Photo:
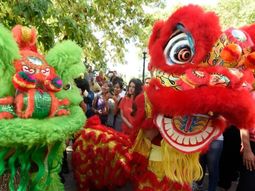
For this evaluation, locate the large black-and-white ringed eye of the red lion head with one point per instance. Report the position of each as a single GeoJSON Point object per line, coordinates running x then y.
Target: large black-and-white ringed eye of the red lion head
{"type": "Point", "coordinates": [179, 49]}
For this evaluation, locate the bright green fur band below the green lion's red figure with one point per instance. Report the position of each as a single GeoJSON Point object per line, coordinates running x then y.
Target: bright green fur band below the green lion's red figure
{"type": "Point", "coordinates": [40, 131]}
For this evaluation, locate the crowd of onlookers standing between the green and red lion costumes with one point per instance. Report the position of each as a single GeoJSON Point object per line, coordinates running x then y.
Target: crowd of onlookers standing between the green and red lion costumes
{"type": "Point", "coordinates": [110, 97]}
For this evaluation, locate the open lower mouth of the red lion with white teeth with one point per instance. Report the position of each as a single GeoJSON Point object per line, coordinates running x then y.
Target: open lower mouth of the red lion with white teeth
{"type": "Point", "coordinates": [187, 134]}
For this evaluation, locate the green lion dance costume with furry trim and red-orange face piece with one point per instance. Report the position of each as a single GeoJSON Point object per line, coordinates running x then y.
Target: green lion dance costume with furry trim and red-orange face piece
{"type": "Point", "coordinates": [37, 115]}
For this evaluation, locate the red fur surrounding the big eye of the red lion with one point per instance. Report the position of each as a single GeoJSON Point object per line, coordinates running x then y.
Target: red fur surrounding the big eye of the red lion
{"type": "Point", "coordinates": [205, 31]}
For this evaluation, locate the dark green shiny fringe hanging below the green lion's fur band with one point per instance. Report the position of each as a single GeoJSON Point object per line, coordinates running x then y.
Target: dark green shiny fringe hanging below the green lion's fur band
{"type": "Point", "coordinates": [37, 168]}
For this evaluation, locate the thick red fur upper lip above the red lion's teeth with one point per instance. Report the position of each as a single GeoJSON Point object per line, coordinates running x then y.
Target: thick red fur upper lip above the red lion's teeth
{"type": "Point", "coordinates": [237, 106]}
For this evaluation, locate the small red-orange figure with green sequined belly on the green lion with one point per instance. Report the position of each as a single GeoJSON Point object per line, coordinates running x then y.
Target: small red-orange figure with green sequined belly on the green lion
{"type": "Point", "coordinates": [35, 81]}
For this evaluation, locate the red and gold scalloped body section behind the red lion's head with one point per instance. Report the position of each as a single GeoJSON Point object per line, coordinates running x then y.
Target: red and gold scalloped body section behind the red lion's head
{"type": "Point", "coordinates": [96, 157]}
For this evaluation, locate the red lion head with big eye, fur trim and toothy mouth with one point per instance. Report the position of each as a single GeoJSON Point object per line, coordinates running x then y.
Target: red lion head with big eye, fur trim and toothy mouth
{"type": "Point", "coordinates": [203, 78]}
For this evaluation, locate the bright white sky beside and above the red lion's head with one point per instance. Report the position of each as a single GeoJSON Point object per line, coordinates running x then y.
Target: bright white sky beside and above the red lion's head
{"type": "Point", "coordinates": [133, 65]}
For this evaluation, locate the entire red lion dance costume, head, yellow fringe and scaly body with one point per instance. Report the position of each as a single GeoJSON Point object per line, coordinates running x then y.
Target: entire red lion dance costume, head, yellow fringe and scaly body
{"type": "Point", "coordinates": [203, 82]}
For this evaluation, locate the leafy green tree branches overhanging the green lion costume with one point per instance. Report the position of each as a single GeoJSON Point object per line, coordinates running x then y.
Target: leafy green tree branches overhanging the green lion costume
{"type": "Point", "coordinates": [96, 25]}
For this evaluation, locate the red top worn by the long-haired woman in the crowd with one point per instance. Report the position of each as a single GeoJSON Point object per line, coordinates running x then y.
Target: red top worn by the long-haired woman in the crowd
{"type": "Point", "coordinates": [126, 109]}
